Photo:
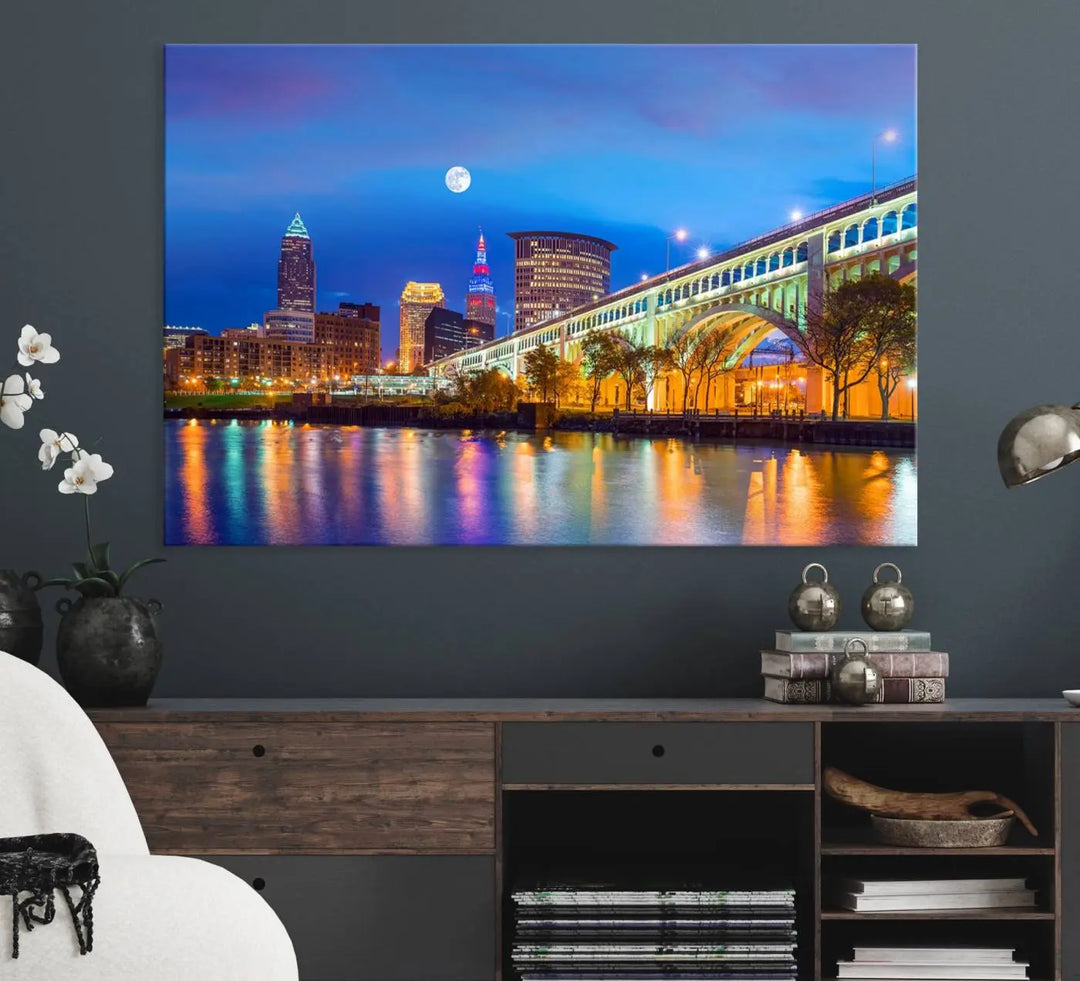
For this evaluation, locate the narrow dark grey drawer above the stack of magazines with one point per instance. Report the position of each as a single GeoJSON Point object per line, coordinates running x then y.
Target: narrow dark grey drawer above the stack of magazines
{"type": "Point", "coordinates": [678, 754]}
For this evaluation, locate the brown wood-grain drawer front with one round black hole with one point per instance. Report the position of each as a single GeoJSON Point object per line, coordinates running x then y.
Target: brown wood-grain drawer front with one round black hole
{"type": "Point", "coordinates": [261, 788]}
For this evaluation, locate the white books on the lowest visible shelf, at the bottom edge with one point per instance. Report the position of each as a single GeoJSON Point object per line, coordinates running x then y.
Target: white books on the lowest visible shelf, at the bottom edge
{"type": "Point", "coordinates": [934, 963]}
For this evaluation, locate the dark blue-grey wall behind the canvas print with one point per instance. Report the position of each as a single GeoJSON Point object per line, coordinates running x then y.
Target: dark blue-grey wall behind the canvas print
{"type": "Point", "coordinates": [995, 575]}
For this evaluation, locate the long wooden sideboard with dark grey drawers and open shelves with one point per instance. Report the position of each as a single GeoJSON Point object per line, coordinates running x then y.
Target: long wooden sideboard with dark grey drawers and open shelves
{"type": "Point", "coordinates": [388, 832]}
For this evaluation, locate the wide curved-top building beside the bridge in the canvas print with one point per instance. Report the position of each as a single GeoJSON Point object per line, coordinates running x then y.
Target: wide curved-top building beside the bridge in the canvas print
{"type": "Point", "coordinates": [556, 272]}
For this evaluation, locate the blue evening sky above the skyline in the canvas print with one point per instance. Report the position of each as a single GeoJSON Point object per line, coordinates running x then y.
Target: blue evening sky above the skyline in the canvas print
{"type": "Point", "coordinates": [624, 142]}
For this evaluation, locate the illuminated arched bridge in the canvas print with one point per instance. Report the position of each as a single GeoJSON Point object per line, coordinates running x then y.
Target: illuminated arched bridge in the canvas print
{"type": "Point", "coordinates": [749, 291]}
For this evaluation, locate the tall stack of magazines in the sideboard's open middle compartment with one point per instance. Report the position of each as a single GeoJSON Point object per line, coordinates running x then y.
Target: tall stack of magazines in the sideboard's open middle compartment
{"type": "Point", "coordinates": [603, 933]}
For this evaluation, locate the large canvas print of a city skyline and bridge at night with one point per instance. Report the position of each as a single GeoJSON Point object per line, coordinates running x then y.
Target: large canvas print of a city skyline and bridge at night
{"type": "Point", "coordinates": [541, 295]}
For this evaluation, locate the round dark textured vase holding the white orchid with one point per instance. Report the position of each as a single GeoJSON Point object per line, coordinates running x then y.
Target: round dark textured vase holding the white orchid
{"type": "Point", "coordinates": [109, 650]}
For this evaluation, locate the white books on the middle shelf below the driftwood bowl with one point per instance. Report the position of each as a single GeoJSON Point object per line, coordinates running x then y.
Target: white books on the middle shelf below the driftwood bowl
{"type": "Point", "coordinates": [892, 895]}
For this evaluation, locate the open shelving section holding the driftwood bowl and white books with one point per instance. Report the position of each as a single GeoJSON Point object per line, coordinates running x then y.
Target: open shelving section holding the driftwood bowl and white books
{"type": "Point", "coordinates": [1016, 760]}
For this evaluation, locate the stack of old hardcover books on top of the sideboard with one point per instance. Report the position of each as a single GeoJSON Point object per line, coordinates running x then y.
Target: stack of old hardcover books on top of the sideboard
{"type": "Point", "coordinates": [798, 669]}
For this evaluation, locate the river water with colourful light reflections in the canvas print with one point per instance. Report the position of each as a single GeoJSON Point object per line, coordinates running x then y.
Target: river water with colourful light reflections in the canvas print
{"type": "Point", "coordinates": [273, 483]}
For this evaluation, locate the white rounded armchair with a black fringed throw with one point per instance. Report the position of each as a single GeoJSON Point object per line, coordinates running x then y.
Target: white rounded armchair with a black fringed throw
{"type": "Point", "coordinates": [156, 918]}
